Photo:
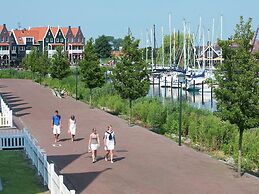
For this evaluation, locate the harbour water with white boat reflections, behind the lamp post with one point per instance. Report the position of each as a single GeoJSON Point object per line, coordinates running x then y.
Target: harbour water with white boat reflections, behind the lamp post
{"type": "Point", "coordinates": [197, 99]}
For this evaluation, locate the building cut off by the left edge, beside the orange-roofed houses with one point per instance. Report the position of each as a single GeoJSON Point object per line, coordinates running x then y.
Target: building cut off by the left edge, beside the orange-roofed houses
{"type": "Point", "coordinates": [4, 45]}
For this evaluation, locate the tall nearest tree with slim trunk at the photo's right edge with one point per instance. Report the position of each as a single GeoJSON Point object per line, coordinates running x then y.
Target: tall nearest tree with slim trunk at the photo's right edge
{"type": "Point", "coordinates": [238, 92]}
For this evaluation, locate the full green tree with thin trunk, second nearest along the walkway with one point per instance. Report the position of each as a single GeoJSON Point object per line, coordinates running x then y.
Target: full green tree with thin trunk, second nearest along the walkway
{"type": "Point", "coordinates": [130, 76]}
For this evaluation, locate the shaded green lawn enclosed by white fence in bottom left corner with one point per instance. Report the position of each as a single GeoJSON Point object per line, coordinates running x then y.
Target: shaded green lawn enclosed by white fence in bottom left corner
{"type": "Point", "coordinates": [17, 174]}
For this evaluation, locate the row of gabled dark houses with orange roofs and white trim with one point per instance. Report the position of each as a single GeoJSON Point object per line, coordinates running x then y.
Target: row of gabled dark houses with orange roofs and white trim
{"type": "Point", "coordinates": [47, 39]}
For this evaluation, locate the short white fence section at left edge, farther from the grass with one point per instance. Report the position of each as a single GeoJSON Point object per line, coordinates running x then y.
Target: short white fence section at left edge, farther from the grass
{"type": "Point", "coordinates": [6, 115]}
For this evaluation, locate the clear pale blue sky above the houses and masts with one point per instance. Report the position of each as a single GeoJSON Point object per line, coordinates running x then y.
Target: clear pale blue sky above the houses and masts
{"type": "Point", "coordinates": [114, 17]}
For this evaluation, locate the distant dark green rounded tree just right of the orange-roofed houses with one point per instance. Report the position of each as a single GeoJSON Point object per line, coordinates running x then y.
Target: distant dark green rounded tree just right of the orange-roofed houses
{"type": "Point", "coordinates": [103, 47]}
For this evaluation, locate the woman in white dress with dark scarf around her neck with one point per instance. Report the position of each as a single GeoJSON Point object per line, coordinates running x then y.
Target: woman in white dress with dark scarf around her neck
{"type": "Point", "coordinates": [109, 143]}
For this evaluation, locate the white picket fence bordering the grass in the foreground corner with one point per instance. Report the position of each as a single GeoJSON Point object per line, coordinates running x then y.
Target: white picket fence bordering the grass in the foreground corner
{"type": "Point", "coordinates": [13, 139]}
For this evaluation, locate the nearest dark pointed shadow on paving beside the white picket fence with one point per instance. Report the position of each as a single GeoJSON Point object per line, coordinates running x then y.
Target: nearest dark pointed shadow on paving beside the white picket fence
{"type": "Point", "coordinates": [81, 180]}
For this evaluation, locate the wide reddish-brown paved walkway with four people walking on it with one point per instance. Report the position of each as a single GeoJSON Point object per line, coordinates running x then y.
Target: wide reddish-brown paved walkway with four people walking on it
{"type": "Point", "coordinates": [145, 162]}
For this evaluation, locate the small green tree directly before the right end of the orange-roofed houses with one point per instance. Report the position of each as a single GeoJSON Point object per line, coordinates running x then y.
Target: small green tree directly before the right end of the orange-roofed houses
{"type": "Point", "coordinates": [60, 67]}
